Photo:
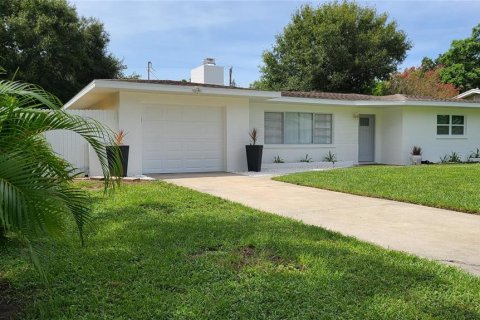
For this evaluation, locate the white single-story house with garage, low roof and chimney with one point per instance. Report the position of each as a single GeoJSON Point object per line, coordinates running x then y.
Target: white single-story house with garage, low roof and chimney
{"type": "Point", "coordinates": [203, 125]}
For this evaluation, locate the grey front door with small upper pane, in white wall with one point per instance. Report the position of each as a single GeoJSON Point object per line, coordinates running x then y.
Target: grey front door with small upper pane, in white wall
{"type": "Point", "coordinates": [366, 138]}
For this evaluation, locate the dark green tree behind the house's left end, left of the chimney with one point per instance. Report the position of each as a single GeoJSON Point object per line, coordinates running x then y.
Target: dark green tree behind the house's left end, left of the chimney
{"type": "Point", "coordinates": [52, 46]}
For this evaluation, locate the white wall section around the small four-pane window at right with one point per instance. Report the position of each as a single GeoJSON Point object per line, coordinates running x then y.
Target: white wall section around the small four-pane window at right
{"type": "Point", "coordinates": [420, 130]}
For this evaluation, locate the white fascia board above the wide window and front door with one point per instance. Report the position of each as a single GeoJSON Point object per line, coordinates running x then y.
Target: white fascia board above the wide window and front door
{"type": "Point", "coordinates": [377, 103]}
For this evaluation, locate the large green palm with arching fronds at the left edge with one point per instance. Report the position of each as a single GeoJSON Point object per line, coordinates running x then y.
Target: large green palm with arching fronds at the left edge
{"type": "Point", "coordinates": [36, 189]}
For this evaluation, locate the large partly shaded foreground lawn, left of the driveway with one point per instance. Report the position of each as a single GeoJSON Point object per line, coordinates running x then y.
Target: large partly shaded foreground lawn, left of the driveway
{"type": "Point", "coordinates": [157, 251]}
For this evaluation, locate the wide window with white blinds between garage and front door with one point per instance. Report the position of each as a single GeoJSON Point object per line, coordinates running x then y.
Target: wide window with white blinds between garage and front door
{"type": "Point", "coordinates": [298, 128]}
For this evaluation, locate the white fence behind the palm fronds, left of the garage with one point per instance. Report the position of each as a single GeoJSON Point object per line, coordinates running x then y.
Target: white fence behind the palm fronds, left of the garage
{"type": "Point", "coordinates": [73, 148]}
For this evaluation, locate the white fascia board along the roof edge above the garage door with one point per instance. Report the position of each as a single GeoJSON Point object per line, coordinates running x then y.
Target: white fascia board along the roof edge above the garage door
{"type": "Point", "coordinates": [155, 87]}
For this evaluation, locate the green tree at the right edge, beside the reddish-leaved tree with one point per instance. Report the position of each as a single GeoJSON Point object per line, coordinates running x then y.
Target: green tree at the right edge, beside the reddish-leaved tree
{"type": "Point", "coordinates": [461, 63]}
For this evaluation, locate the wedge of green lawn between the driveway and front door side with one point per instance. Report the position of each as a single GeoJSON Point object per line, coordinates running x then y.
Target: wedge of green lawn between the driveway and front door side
{"type": "Point", "coordinates": [455, 187]}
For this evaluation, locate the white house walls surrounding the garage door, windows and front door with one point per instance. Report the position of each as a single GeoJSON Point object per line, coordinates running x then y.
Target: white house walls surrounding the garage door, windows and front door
{"type": "Point", "coordinates": [397, 129]}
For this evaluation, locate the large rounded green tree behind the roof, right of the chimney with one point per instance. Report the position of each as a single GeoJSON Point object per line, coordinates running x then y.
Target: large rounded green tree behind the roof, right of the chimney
{"type": "Point", "coordinates": [338, 46]}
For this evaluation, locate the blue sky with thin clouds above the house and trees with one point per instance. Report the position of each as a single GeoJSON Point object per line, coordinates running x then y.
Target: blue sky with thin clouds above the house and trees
{"type": "Point", "coordinates": [177, 35]}
